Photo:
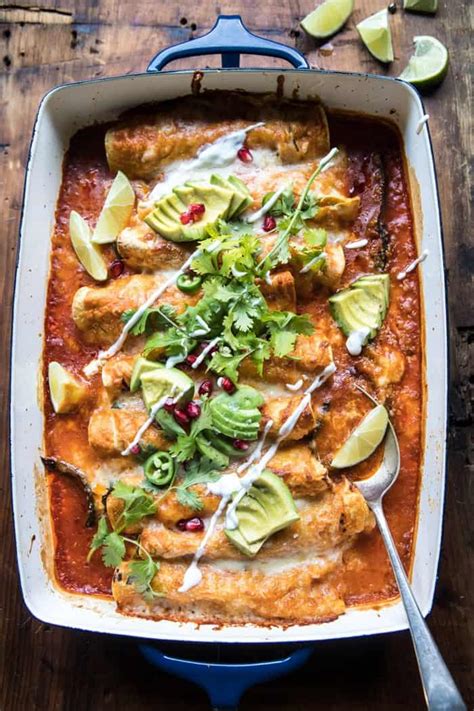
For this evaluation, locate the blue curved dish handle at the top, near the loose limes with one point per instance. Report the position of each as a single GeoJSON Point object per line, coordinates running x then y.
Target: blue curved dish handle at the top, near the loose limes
{"type": "Point", "coordinates": [230, 38]}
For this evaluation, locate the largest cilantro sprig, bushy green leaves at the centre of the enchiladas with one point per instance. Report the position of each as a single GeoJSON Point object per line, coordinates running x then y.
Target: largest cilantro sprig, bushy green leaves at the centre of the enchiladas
{"type": "Point", "coordinates": [231, 307]}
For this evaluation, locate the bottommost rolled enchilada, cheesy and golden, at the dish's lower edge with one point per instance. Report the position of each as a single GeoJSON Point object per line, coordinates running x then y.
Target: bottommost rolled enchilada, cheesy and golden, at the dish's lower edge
{"type": "Point", "coordinates": [241, 595]}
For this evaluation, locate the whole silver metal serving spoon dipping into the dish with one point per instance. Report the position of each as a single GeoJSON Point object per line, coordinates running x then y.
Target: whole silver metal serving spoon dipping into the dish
{"type": "Point", "coordinates": [441, 693]}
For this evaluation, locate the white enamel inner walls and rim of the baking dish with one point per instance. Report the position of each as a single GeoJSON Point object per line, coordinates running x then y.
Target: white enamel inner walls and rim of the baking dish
{"type": "Point", "coordinates": [62, 113]}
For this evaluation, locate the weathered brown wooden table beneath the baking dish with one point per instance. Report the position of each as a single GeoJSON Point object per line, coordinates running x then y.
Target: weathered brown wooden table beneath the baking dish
{"type": "Point", "coordinates": [63, 41]}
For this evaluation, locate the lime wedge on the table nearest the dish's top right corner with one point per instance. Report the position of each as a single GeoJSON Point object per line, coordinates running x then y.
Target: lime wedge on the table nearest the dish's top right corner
{"type": "Point", "coordinates": [428, 66]}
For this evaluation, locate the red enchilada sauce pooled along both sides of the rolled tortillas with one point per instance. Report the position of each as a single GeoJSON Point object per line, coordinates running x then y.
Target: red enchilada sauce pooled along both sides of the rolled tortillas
{"type": "Point", "coordinates": [367, 577]}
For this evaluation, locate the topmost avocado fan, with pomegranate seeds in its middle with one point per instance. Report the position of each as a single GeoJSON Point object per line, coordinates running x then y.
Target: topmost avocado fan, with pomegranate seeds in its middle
{"type": "Point", "coordinates": [223, 198]}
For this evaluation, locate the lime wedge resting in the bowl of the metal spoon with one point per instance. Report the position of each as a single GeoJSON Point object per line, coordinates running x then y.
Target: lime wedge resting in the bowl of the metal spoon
{"type": "Point", "coordinates": [364, 440]}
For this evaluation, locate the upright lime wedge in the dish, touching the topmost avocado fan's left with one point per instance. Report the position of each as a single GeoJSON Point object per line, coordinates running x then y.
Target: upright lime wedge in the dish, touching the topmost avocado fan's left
{"type": "Point", "coordinates": [116, 211]}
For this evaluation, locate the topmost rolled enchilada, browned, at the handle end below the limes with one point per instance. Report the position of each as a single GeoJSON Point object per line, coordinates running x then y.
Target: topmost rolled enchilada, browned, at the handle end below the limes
{"type": "Point", "coordinates": [142, 145]}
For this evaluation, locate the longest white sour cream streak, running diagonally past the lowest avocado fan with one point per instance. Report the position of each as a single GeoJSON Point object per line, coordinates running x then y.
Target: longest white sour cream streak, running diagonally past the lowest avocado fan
{"type": "Point", "coordinates": [232, 484]}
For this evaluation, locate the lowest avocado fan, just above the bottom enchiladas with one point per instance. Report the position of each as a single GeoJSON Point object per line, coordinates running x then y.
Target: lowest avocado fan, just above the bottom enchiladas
{"type": "Point", "coordinates": [267, 507]}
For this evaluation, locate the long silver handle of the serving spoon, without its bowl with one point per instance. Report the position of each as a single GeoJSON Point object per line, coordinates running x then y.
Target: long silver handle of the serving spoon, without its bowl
{"type": "Point", "coordinates": [441, 693]}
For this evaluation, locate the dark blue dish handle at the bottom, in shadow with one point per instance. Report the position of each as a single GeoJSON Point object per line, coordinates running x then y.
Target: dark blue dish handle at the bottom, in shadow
{"type": "Point", "coordinates": [225, 683]}
